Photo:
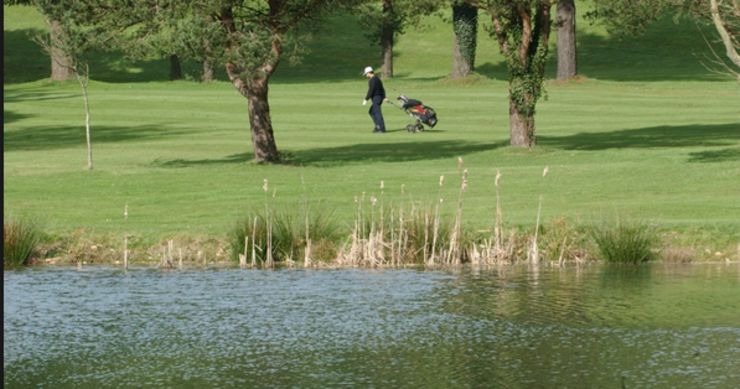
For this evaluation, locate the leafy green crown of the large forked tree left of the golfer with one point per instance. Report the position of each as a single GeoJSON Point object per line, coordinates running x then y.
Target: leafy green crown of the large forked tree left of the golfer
{"type": "Point", "coordinates": [253, 36]}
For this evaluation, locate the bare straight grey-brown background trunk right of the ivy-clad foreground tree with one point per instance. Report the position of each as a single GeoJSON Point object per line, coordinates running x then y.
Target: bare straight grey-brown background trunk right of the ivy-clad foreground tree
{"type": "Point", "coordinates": [567, 52]}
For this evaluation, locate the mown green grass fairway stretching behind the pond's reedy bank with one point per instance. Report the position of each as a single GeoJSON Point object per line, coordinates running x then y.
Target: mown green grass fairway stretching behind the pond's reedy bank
{"type": "Point", "coordinates": [647, 131]}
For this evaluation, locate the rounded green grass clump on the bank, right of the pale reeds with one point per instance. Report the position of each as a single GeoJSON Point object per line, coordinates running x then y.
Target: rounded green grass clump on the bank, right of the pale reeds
{"type": "Point", "coordinates": [624, 240]}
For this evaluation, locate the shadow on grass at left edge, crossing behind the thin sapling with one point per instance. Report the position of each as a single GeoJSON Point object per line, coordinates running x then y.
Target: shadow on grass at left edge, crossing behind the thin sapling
{"type": "Point", "coordinates": [61, 137]}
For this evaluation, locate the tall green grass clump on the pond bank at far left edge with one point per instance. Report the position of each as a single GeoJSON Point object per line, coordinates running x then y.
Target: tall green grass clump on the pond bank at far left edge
{"type": "Point", "coordinates": [21, 237]}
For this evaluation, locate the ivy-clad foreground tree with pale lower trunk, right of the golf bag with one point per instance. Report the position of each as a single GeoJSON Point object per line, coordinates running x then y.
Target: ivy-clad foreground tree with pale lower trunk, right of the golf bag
{"type": "Point", "coordinates": [522, 29]}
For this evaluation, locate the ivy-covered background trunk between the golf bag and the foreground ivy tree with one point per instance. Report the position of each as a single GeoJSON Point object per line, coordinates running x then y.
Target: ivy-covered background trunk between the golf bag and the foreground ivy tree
{"type": "Point", "coordinates": [465, 27]}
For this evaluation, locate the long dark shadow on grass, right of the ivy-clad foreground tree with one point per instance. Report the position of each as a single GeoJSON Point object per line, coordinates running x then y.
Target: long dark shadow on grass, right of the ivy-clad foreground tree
{"type": "Point", "coordinates": [656, 137]}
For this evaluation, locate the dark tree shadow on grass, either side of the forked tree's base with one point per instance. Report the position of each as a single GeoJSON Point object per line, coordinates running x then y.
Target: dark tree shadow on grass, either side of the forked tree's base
{"type": "Point", "coordinates": [361, 153]}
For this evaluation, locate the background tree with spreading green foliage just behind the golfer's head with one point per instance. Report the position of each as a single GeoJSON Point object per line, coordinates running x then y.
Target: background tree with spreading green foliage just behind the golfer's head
{"type": "Point", "coordinates": [383, 21]}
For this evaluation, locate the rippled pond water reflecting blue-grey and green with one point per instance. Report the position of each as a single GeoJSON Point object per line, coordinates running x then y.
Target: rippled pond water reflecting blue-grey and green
{"type": "Point", "coordinates": [595, 326]}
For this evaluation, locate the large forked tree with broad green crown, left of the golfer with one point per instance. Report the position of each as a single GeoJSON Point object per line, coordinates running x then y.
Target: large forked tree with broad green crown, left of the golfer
{"type": "Point", "coordinates": [249, 37]}
